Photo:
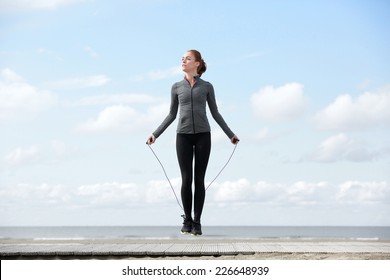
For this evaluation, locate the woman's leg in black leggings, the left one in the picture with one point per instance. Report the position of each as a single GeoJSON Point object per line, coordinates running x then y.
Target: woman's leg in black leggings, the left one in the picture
{"type": "Point", "coordinates": [185, 152]}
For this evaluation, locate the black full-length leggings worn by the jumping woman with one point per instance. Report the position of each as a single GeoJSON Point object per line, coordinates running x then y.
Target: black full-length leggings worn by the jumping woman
{"type": "Point", "coordinates": [188, 146]}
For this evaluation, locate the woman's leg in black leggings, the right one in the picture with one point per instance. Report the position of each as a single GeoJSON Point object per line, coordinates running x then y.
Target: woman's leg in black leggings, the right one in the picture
{"type": "Point", "coordinates": [202, 154]}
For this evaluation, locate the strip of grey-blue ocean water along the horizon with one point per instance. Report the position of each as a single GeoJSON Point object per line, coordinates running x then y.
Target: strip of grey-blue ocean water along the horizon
{"type": "Point", "coordinates": [209, 232]}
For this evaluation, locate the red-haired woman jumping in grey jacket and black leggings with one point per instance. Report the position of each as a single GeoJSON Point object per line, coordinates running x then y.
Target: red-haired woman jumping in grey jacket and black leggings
{"type": "Point", "coordinates": [193, 139]}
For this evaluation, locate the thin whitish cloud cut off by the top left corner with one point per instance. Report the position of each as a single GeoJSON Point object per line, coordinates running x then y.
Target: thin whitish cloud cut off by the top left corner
{"type": "Point", "coordinates": [21, 5]}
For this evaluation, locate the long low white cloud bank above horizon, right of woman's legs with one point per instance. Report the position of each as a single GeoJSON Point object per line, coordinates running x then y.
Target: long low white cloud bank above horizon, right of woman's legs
{"type": "Point", "coordinates": [299, 193]}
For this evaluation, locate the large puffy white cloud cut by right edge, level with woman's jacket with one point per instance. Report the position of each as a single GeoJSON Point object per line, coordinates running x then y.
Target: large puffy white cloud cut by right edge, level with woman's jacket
{"type": "Point", "coordinates": [368, 110]}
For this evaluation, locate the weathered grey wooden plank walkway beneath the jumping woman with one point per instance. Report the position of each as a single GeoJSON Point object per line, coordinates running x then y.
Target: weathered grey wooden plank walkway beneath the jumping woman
{"type": "Point", "coordinates": [187, 248]}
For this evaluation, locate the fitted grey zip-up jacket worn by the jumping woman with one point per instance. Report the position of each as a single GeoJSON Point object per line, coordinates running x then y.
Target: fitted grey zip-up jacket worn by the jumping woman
{"type": "Point", "coordinates": [192, 101]}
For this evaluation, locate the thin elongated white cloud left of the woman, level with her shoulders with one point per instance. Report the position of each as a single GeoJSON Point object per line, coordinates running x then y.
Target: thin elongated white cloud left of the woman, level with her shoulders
{"type": "Point", "coordinates": [80, 82]}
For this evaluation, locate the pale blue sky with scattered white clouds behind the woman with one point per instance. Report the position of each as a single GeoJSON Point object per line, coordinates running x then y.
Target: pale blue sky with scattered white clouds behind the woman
{"type": "Point", "coordinates": [305, 85]}
